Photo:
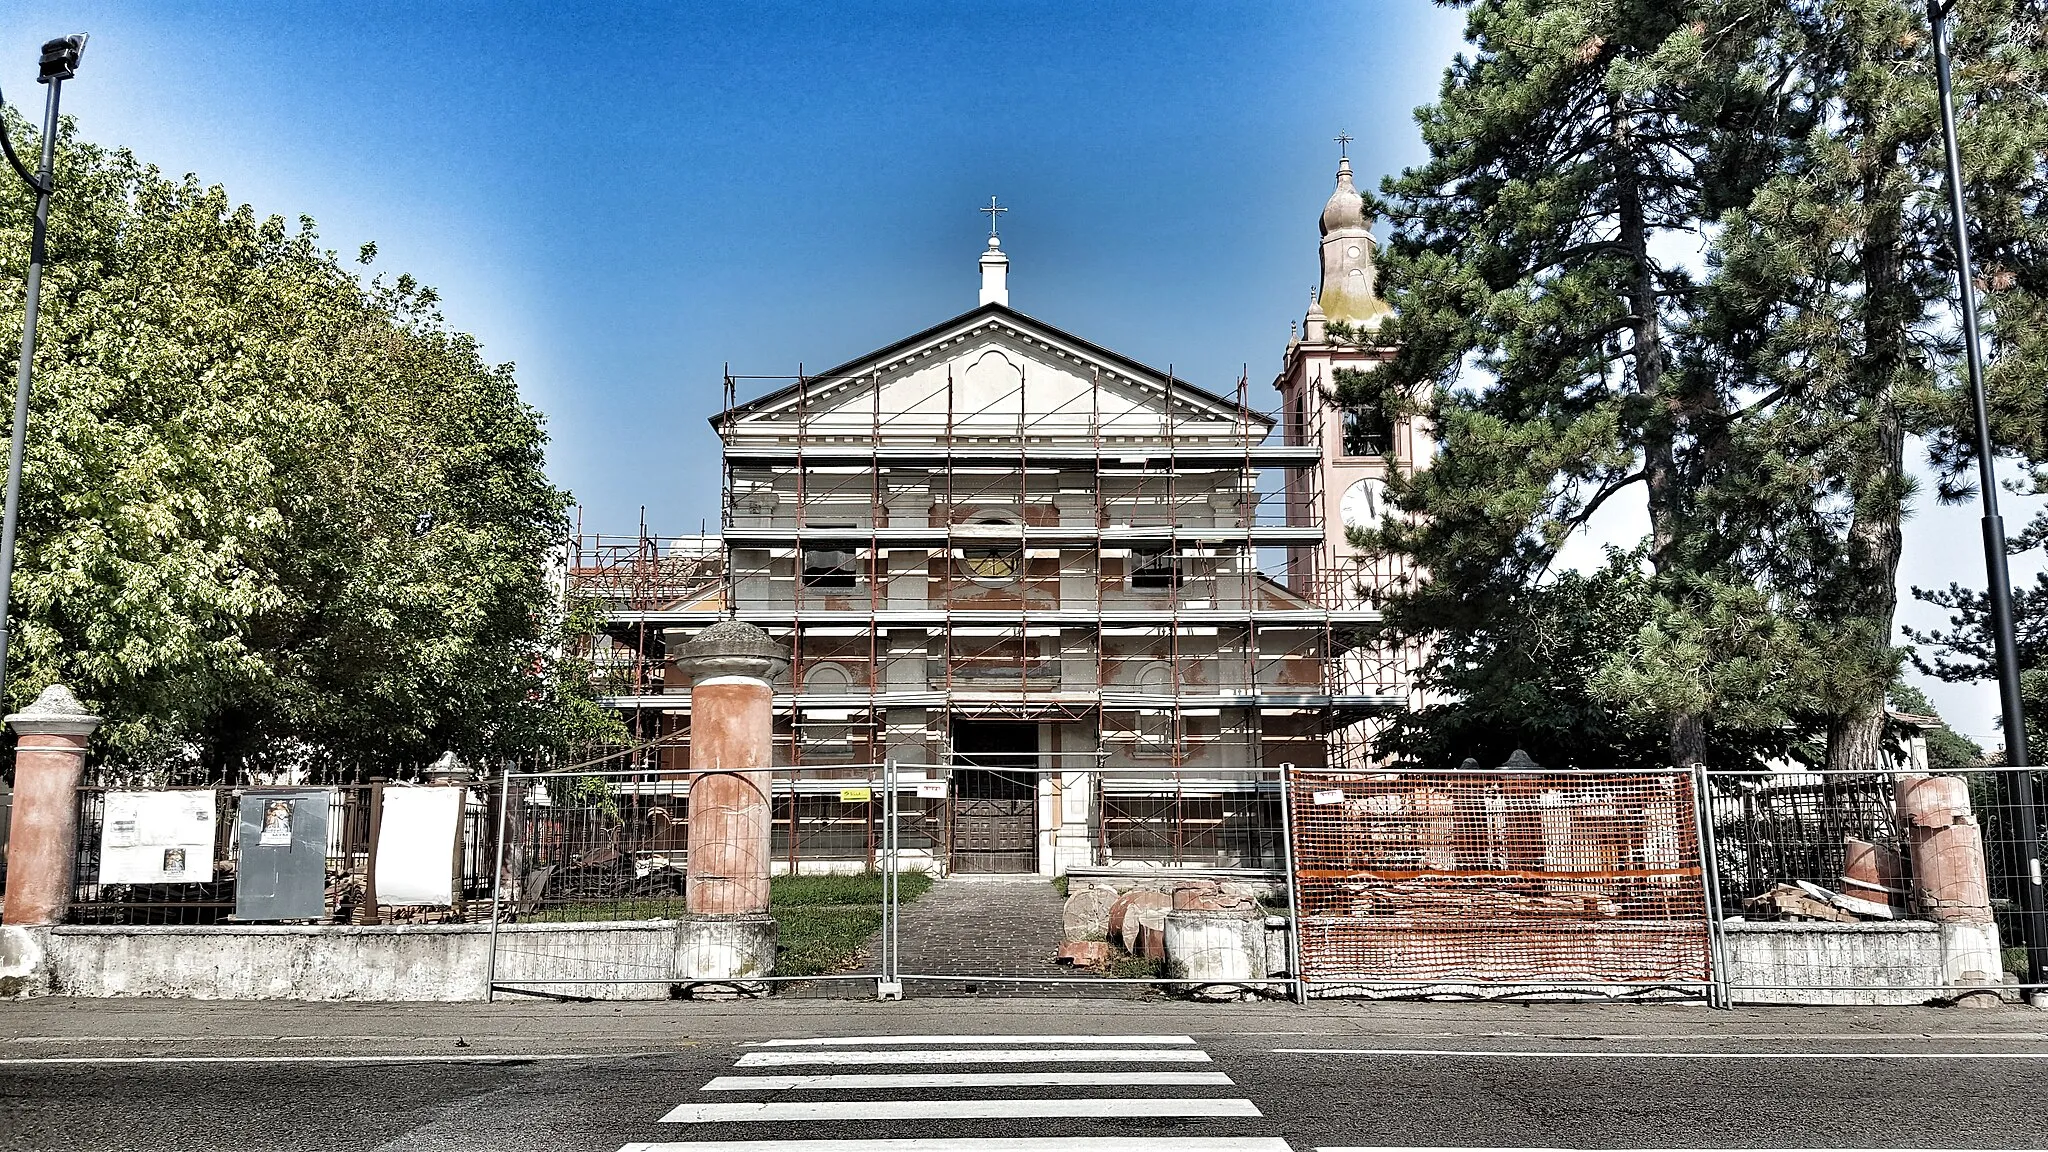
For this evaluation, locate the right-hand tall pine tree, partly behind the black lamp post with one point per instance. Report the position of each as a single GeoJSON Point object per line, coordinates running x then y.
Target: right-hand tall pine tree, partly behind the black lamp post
{"type": "Point", "coordinates": [1842, 263]}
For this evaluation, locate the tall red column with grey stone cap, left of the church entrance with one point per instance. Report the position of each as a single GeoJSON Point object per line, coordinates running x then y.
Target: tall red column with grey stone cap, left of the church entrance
{"type": "Point", "coordinates": [732, 749]}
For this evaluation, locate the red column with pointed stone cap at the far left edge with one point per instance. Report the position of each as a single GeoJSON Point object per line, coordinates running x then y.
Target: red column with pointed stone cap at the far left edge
{"type": "Point", "coordinates": [50, 757]}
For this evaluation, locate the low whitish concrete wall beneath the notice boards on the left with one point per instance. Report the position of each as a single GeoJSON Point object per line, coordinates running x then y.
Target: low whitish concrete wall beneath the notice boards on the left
{"type": "Point", "coordinates": [341, 962]}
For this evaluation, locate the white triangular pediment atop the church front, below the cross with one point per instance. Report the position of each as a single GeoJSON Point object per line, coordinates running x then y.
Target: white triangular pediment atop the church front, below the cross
{"type": "Point", "coordinates": [992, 374]}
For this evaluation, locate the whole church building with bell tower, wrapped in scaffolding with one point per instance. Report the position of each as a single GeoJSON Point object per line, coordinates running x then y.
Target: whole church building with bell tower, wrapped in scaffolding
{"type": "Point", "coordinates": [1091, 606]}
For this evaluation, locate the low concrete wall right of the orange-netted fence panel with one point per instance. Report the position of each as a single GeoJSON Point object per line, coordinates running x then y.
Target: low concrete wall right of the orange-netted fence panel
{"type": "Point", "coordinates": [1875, 962]}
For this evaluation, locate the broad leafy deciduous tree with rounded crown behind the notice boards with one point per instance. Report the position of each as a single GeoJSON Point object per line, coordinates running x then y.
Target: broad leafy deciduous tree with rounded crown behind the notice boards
{"type": "Point", "coordinates": [273, 516]}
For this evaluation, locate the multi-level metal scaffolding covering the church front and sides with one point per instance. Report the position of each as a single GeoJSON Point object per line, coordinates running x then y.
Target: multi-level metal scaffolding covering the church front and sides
{"type": "Point", "coordinates": [1150, 579]}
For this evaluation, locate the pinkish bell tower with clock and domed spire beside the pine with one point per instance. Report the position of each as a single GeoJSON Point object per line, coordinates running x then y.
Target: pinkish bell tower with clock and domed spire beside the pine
{"type": "Point", "coordinates": [1359, 446]}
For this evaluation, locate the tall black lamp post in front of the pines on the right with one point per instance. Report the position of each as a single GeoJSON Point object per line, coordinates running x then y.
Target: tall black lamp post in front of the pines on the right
{"type": "Point", "coordinates": [2035, 911]}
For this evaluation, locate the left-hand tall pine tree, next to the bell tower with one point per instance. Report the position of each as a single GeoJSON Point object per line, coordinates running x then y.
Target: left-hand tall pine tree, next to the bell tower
{"type": "Point", "coordinates": [1549, 311]}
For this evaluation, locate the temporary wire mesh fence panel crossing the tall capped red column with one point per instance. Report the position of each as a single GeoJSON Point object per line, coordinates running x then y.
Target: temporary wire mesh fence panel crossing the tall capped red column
{"type": "Point", "coordinates": [591, 866]}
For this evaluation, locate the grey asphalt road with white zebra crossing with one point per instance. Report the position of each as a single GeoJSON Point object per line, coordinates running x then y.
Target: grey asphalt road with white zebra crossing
{"type": "Point", "coordinates": [1252, 1079]}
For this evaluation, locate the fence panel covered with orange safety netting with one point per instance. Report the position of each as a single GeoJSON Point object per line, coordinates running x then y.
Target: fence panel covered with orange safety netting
{"type": "Point", "coordinates": [1492, 882]}
